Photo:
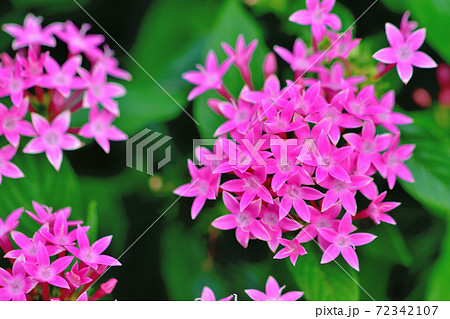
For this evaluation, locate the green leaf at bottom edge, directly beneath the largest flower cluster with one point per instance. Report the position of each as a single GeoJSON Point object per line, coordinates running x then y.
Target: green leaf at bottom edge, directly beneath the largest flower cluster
{"type": "Point", "coordinates": [327, 282]}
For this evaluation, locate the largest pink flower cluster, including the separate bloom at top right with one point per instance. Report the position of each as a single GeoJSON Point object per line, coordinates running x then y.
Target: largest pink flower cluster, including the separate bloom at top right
{"type": "Point", "coordinates": [290, 159]}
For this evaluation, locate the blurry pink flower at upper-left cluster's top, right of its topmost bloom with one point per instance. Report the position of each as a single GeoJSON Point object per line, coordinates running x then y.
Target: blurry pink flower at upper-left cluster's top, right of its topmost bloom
{"type": "Point", "coordinates": [78, 41]}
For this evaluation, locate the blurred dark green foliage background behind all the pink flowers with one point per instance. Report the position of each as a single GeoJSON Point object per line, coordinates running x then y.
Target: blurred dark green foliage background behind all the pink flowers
{"type": "Point", "coordinates": [178, 256]}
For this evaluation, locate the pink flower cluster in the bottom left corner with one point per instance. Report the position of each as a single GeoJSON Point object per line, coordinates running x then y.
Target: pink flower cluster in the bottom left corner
{"type": "Point", "coordinates": [56, 263]}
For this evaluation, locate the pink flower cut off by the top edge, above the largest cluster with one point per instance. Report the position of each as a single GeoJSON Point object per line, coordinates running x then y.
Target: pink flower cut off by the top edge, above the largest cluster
{"type": "Point", "coordinates": [318, 16]}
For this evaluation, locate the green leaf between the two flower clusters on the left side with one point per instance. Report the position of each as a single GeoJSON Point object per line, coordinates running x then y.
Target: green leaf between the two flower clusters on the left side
{"type": "Point", "coordinates": [43, 184]}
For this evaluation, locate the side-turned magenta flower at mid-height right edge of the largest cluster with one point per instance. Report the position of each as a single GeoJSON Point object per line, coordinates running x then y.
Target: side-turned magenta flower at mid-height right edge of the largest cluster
{"type": "Point", "coordinates": [394, 158]}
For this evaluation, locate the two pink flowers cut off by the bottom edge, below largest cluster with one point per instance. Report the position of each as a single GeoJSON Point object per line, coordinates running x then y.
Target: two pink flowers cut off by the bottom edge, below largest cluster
{"type": "Point", "coordinates": [273, 293]}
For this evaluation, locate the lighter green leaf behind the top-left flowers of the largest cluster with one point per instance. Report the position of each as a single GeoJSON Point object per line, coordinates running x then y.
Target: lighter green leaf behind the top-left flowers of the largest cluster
{"type": "Point", "coordinates": [232, 21]}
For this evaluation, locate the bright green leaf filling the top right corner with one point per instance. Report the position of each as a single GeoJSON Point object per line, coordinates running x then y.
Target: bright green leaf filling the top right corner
{"type": "Point", "coordinates": [432, 14]}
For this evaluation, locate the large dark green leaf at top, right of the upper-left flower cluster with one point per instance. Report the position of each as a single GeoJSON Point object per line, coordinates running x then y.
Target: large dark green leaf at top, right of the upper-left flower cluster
{"type": "Point", "coordinates": [169, 43]}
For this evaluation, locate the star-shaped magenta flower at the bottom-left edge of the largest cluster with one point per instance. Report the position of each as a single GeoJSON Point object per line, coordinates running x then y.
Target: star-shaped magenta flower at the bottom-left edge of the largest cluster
{"type": "Point", "coordinates": [244, 222]}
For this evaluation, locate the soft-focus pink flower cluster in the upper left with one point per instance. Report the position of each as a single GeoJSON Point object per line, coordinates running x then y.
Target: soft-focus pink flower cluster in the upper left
{"type": "Point", "coordinates": [45, 94]}
